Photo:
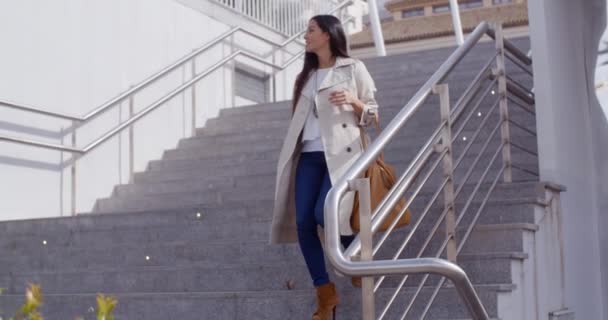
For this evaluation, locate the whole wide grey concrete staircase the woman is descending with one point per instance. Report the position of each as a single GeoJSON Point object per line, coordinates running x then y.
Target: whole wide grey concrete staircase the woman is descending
{"type": "Point", "coordinates": [188, 238]}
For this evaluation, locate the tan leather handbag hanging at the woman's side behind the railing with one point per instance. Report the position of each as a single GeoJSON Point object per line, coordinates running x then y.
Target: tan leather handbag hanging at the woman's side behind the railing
{"type": "Point", "coordinates": [381, 178]}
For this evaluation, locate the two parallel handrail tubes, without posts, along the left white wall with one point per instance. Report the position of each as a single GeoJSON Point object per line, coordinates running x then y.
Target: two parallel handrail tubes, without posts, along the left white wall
{"type": "Point", "coordinates": [152, 79]}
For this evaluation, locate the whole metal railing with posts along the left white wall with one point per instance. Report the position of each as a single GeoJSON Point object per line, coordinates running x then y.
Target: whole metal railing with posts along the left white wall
{"type": "Point", "coordinates": [129, 96]}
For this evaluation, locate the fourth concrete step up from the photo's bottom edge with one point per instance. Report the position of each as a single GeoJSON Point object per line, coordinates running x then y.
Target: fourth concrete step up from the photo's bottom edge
{"type": "Point", "coordinates": [513, 206]}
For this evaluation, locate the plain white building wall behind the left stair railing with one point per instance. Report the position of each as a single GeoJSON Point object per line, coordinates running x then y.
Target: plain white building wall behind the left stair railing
{"type": "Point", "coordinates": [71, 56]}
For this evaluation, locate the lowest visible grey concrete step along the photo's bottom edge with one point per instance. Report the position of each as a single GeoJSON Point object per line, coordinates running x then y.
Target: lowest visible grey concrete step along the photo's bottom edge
{"type": "Point", "coordinates": [252, 305]}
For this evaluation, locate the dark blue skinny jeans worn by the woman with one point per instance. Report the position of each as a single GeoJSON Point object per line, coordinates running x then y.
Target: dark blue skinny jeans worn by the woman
{"type": "Point", "coordinates": [312, 185]}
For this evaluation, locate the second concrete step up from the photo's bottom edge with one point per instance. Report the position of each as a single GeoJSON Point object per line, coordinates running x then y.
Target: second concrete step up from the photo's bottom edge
{"type": "Point", "coordinates": [183, 254]}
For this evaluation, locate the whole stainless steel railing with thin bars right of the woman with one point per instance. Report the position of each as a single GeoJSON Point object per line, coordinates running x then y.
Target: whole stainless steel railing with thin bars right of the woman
{"type": "Point", "coordinates": [362, 257]}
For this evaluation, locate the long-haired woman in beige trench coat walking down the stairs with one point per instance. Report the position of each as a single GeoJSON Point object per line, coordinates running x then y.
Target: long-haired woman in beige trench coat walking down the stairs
{"type": "Point", "coordinates": [333, 98]}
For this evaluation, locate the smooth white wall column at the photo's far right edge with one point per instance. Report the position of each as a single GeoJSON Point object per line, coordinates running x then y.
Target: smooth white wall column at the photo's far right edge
{"type": "Point", "coordinates": [573, 135]}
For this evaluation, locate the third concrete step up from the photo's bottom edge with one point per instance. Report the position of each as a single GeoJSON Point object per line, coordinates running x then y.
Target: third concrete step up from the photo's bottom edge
{"type": "Point", "coordinates": [206, 231]}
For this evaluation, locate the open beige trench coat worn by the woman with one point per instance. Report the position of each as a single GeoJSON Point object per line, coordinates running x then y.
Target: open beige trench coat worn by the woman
{"type": "Point", "coordinates": [340, 133]}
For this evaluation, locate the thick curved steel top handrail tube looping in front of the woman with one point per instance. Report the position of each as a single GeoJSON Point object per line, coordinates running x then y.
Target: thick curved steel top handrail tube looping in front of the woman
{"type": "Point", "coordinates": [342, 260]}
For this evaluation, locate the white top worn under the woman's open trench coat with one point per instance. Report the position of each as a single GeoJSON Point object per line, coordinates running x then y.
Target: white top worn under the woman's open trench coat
{"type": "Point", "coordinates": [311, 136]}
